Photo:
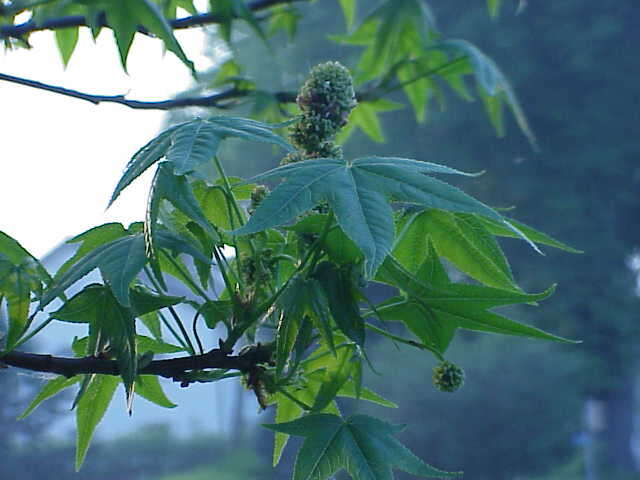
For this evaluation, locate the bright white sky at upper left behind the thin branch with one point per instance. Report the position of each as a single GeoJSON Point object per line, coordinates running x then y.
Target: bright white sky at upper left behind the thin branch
{"type": "Point", "coordinates": [62, 157]}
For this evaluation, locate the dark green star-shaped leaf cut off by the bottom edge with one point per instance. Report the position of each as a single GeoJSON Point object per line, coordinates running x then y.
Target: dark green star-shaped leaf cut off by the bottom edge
{"type": "Point", "coordinates": [363, 446]}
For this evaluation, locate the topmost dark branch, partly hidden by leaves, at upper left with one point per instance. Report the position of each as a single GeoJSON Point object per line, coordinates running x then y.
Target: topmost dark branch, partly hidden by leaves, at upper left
{"type": "Point", "coordinates": [22, 29]}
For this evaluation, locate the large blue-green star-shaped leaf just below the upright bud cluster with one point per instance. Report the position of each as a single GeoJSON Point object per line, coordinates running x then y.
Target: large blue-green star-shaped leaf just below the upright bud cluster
{"type": "Point", "coordinates": [359, 193]}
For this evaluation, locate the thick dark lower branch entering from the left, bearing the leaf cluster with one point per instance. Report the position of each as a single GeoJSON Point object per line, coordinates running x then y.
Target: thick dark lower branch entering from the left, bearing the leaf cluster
{"type": "Point", "coordinates": [175, 368]}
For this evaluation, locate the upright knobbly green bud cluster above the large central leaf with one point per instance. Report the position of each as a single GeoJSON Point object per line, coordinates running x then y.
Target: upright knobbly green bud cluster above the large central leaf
{"type": "Point", "coordinates": [326, 99]}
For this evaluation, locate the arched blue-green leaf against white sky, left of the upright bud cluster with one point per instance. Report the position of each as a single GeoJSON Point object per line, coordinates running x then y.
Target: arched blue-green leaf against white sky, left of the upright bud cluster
{"type": "Point", "coordinates": [191, 144]}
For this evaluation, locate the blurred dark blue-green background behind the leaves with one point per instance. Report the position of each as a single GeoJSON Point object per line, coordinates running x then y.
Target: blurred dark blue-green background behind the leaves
{"type": "Point", "coordinates": [529, 410]}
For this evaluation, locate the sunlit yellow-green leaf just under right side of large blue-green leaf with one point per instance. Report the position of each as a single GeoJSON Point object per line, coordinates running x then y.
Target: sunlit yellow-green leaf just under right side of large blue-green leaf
{"type": "Point", "coordinates": [460, 238]}
